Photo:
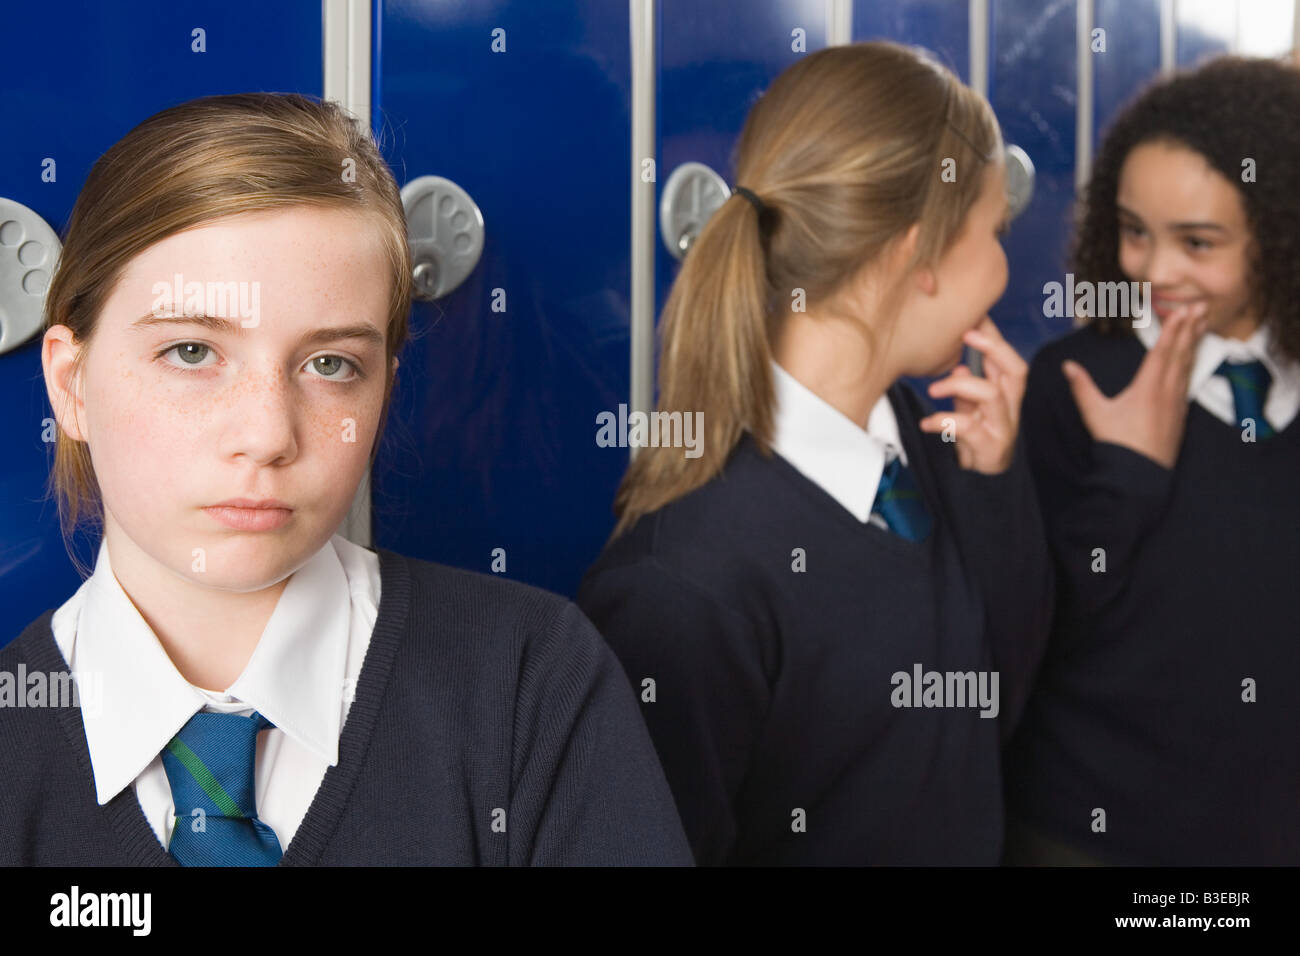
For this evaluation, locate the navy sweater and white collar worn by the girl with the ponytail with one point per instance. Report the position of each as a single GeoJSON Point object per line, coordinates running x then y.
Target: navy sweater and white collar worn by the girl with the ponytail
{"type": "Point", "coordinates": [765, 616]}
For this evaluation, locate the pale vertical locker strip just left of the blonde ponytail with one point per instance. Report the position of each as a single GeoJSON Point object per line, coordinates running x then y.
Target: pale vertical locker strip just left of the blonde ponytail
{"type": "Point", "coordinates": [643, 16]}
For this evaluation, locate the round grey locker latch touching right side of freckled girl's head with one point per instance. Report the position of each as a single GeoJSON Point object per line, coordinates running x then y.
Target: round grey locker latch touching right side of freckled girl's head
{"type": "Point", "coordinates": [445, 231]}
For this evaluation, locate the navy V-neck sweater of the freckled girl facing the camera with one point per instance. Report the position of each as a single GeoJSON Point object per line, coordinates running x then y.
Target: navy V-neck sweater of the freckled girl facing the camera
{"type": "Point", "coordinates": [476, 695]}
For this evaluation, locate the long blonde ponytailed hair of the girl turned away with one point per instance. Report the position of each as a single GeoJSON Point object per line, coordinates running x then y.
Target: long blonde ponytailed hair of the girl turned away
{"type": "Point", "coordinates": [846, 152]}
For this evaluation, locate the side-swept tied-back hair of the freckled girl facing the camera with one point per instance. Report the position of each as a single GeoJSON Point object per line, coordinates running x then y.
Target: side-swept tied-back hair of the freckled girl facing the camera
{"type": "Point", "coordinates": [196, 163]}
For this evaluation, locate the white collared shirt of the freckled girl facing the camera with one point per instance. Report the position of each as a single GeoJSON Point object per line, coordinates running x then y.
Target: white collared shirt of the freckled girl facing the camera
{"type": "Point", "coordinates": [301, 677]}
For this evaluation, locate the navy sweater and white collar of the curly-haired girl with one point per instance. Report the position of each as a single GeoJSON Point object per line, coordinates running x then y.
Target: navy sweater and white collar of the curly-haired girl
{"type": "Point", "coordinates": [1163, 729]}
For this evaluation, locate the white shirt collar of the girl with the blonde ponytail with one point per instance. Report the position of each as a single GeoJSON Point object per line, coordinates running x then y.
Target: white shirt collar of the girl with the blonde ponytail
{"type": "Point", "coordinates": [833, 451]}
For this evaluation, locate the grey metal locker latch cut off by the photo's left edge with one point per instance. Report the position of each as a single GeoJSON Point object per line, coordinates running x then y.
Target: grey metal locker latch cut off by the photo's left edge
{"type": "Point", "coordinates": [29, 250]}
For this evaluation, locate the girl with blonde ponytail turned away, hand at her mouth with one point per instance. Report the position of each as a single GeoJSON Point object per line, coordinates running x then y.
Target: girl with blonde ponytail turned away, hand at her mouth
{"type": "Point", "coordinates": [831, 615]}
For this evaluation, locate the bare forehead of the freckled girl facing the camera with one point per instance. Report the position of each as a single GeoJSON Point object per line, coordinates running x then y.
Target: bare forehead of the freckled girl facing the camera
{"type": "Point", "coordinates": [302, 257]}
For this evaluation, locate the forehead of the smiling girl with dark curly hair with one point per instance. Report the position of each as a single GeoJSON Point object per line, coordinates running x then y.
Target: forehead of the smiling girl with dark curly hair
{"type": "Point", "coordinates": [1173, 181]}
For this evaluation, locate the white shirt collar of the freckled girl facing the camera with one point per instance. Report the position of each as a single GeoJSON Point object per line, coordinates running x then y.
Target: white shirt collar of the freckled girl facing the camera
{"type": "Point", "coordinates": [144, 700]}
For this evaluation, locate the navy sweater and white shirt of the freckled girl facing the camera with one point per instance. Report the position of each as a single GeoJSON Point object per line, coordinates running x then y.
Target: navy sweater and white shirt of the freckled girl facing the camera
{"type": "Point", "coordinates": [419, 715]}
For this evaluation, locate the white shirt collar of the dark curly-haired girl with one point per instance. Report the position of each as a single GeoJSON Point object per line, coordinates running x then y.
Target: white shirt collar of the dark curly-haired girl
{"type": "Point", "coordinates": [1214, 392]}
